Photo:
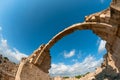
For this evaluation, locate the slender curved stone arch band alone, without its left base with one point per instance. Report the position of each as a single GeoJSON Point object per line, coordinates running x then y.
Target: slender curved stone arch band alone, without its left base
{"type": "Point", "coordinates": [103, 30]}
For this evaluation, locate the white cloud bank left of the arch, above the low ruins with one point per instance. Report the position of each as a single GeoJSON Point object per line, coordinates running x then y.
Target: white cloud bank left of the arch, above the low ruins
{"type": "Point", "coordinates": [12, 53]}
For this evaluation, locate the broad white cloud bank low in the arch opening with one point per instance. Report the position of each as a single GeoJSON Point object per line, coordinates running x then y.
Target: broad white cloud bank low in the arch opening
{"type": "Point", "coordinates": [89, 64]}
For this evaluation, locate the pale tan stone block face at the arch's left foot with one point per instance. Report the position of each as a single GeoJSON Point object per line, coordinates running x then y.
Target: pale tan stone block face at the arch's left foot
{"type": "Point", "coordinates": [28, 71]}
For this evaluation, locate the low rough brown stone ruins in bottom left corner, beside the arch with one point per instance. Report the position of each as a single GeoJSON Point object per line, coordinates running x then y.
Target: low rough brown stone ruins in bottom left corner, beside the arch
{"type": "Point", "coordinates": [7, 69]}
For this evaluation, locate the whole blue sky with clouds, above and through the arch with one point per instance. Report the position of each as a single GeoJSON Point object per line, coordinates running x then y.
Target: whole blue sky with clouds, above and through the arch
{"type": "Point", "coordinates": [26, 24]}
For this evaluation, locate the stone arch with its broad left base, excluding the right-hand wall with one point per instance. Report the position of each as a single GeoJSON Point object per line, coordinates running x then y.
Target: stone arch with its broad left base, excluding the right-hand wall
{"type": "Point", "coordinates": [39, 62]}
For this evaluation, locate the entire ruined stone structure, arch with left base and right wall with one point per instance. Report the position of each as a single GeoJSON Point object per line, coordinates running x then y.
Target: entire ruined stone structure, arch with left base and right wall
{"type": "Point", "coordinates": [105, 24]}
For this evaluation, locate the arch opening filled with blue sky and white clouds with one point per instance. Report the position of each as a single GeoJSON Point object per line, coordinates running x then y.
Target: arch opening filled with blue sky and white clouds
{"type": "Point", "coordinates": [77, 54]}
